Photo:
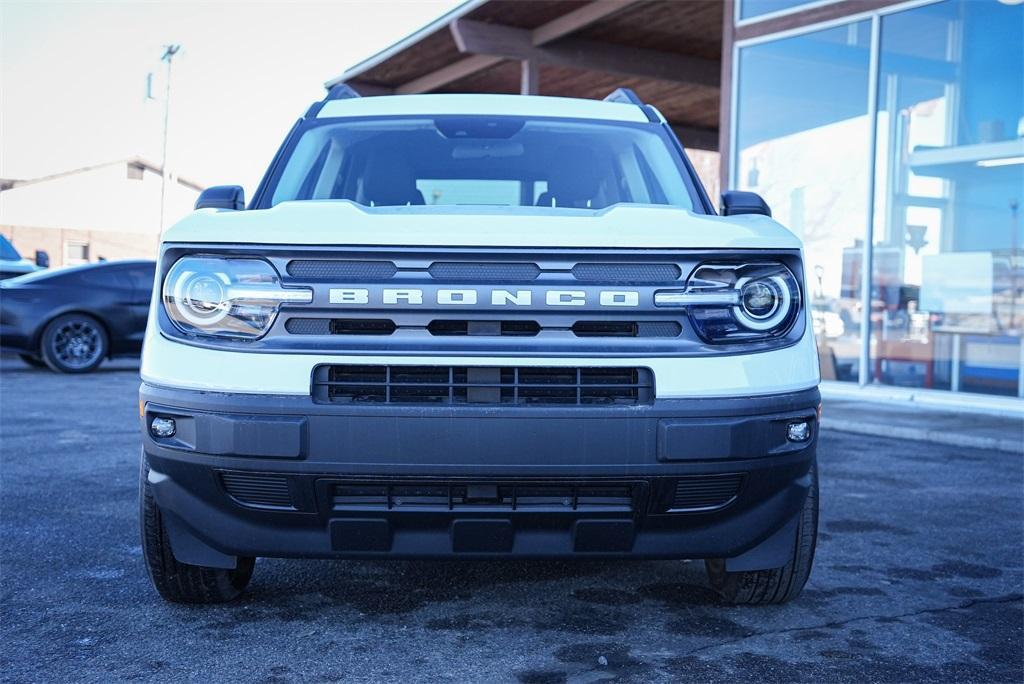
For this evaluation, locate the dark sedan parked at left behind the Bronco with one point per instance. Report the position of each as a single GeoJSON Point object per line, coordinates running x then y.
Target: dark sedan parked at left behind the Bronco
{"type": "Point", "coordinates": [72, 319]}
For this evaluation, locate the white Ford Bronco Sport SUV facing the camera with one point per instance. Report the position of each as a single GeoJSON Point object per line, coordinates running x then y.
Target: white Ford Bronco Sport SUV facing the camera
{"type": "Point", "coordinates": [480, 327]}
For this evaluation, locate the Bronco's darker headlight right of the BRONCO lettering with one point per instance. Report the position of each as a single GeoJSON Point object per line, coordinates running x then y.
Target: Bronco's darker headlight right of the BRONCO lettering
{"type": "Point", "coordinates": [738, 303]}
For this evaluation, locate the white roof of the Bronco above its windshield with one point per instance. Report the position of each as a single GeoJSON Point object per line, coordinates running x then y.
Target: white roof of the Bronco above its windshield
{"type": "Point", "coordinates": [482, 105]}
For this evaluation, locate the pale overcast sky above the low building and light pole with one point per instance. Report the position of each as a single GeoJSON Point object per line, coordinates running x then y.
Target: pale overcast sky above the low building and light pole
{"type": "Point", "coordinates": [73, 78]}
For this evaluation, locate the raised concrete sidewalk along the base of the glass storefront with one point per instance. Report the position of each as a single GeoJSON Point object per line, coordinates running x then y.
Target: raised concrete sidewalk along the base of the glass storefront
{"type": "Point", "coordinates": [919, 423]}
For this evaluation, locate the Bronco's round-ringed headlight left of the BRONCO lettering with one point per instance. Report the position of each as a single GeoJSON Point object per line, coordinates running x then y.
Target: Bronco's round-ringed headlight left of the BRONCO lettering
{"type": "Point", "coordinates": [237, 298]}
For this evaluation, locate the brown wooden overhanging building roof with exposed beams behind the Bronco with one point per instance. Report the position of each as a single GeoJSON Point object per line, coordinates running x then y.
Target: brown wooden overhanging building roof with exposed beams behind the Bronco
{"type": "Point", "coordinates": [668, 52]}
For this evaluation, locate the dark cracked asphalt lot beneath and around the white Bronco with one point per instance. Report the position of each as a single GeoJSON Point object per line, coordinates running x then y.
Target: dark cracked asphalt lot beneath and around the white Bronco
{"type": "Point", "coordinates": [918, 578]}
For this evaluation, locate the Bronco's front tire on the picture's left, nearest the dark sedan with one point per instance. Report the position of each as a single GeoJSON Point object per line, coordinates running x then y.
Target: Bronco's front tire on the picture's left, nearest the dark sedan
{"type": "Point", "coordinates": [179, 582]}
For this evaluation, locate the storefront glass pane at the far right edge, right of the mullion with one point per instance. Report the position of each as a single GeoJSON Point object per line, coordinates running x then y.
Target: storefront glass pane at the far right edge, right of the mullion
{"type": "Point", "coordinates": [949, 247]}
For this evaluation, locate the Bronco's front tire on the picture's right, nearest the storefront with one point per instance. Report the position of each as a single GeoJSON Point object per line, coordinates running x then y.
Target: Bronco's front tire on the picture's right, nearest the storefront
{"type": "Point", "coordinates": [782, 584]}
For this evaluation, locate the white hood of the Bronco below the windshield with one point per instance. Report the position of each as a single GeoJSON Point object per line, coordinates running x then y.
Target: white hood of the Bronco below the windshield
{"type": "Point", "coordinates": [346, 224]}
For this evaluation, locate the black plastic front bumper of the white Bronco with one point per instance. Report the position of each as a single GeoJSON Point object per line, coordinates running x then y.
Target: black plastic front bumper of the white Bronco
{"type": "Point", "coordinates": [276, 476]}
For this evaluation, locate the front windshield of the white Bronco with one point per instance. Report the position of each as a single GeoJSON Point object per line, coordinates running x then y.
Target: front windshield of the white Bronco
{"type": "Point", "coordinates": [484, 161]}
